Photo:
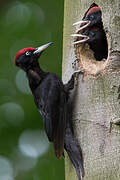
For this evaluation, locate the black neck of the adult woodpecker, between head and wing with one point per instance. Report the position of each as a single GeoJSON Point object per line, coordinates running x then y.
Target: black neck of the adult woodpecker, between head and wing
{"type": "Point", "coordinates": [35, 75]}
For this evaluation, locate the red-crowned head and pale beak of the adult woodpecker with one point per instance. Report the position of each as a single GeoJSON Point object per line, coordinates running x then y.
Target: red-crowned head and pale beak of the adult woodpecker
{"type": "Point", "coordinates": [26, 57]}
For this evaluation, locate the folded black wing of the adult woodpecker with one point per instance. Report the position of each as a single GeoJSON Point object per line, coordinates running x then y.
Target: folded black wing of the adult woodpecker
{"type": "Point", "coordinates": [52, 105]}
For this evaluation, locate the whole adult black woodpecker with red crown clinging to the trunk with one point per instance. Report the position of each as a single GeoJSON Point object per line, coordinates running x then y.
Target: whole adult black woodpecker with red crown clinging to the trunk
{"type": "Point", "coordinates": [51, 97]}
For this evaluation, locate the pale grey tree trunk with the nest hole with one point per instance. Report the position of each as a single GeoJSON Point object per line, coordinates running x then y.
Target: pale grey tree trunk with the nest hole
{"type": "Point", "coordinates": [97, 98]}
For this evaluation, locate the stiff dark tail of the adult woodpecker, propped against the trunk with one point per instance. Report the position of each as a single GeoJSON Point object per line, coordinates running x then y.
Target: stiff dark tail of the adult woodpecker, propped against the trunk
{"type": "Point", "coordinates": [74, 152]}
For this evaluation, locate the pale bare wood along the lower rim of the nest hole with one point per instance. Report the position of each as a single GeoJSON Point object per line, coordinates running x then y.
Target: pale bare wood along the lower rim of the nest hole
{"type": "Point", "coordinates": [87, 61]}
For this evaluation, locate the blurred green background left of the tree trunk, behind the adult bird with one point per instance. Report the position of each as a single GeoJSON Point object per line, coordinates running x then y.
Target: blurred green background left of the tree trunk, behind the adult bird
{"type": "Point", "coordinates": [26, 23]}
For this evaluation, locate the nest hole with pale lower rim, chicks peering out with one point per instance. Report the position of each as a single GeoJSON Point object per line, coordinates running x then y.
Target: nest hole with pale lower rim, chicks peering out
{"type": "Point", "coordinates": [92, 54]}
